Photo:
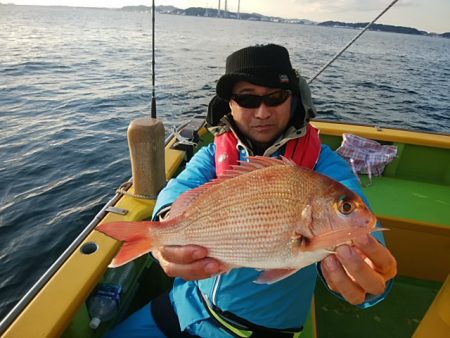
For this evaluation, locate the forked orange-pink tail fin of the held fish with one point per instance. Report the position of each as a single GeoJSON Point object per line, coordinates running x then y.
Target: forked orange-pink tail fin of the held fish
{"type": "Point", "coordinates": [137, 238]}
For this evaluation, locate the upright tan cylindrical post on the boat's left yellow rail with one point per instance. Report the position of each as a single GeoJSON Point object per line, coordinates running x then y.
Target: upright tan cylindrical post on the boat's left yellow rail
{"type": "Point", "coordinates": [146, 144]}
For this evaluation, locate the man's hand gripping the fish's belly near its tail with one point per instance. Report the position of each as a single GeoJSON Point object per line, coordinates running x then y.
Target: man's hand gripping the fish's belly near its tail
{"type": "Point", "coordinates": [189, 262]}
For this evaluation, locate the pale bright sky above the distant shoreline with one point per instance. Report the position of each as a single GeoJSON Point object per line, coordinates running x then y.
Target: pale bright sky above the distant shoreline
{"type": "Point", "coordinates": [427, 15]}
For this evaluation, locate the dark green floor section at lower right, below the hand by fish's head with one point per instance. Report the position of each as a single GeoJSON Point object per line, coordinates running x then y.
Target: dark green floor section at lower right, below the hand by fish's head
{"type": "Point", "coordinates": [396, 317]}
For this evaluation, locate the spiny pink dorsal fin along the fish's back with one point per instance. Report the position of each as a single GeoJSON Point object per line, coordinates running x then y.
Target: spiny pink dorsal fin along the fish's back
{"type": "Point", "coordinates": [254, 163]}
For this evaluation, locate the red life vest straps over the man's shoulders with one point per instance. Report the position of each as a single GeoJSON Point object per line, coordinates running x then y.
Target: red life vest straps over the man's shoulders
{"type": "Point", "coordinates": [304, 151]}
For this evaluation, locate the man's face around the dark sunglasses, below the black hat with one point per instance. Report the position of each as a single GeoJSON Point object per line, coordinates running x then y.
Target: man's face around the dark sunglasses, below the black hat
{"type": "Point", "coordinates": [264, 124]}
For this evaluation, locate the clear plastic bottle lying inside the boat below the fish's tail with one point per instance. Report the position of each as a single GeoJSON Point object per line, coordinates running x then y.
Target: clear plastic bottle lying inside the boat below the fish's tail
{"type": "Point", "coordinates": [103, 305]}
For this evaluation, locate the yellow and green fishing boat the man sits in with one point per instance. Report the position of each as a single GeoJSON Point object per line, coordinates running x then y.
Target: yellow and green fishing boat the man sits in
{"type": "Point", "coordinates": [411, 198]}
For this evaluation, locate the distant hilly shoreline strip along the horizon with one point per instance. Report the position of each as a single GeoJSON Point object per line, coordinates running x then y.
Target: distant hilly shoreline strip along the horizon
{"type": "Point", "coordinates": [214, 13]}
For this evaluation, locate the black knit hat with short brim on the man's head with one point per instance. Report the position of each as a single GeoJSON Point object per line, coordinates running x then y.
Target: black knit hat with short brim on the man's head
{"type": "Point", "coordinates": [263, 65]}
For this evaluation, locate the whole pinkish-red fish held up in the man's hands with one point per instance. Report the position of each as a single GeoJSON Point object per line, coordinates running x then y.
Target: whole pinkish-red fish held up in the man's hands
{"type": "Point", "coordinates": [267, 214]}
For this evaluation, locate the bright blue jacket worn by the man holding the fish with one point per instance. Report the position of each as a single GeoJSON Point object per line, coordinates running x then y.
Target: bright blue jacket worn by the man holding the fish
{"type": "Point", "coordinates": [281, 305]}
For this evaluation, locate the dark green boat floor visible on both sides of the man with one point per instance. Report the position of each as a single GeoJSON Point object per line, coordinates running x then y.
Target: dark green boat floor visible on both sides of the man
{"type": "Point", "coordinates": [397, 316]}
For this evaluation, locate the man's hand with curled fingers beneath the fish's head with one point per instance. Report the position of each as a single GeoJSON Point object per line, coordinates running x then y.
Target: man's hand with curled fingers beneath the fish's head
{"type": "Point", "coordinates": [355, 271]}
